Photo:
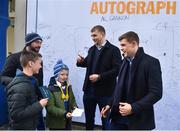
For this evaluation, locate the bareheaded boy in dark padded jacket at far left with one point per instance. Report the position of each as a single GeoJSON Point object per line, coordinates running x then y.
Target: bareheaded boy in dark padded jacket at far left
{"type": "Point", "coordinates": [23, 105]}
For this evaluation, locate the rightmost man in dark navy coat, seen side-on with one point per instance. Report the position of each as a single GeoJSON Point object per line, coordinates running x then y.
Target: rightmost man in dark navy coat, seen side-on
{"type": "Point", "coordinates": [138, 88]}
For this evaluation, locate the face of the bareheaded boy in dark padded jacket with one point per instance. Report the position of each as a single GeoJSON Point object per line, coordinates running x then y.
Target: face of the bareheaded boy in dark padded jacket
{"type": "Point", "coordinates": [36, 65]}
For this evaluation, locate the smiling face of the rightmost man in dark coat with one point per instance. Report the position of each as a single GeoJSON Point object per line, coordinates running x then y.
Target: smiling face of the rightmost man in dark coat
{"type": "Point", "coordinates": [128, 48]}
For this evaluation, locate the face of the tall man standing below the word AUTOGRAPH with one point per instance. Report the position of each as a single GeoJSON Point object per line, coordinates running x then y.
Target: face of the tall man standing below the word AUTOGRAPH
{"type": "Point", "coordinates": [97, 37]}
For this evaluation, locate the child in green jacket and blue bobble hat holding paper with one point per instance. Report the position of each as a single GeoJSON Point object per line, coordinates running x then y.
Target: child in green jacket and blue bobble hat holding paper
{"type": "Point", "coordinates": [62, 100]}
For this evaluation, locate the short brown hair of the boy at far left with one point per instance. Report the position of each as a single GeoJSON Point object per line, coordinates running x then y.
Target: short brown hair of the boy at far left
{"type": "Point", "coordinates": [27, 56]}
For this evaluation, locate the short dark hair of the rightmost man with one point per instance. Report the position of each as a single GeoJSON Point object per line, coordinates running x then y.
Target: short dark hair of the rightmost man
{"type": "Point", "coordinates": [130, 37]}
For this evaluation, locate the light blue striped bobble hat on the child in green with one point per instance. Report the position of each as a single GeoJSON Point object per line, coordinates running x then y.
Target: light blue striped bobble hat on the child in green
{"type": "Point", "coordinates": [58, 67]}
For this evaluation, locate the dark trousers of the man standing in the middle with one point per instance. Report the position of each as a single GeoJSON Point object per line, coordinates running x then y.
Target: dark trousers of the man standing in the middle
{"type": "Point", "coordinates": [90, 101]}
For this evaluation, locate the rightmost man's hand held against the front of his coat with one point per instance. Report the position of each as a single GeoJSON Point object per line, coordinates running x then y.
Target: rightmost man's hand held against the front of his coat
{"type": "Point", "coordinates": [125, 109]}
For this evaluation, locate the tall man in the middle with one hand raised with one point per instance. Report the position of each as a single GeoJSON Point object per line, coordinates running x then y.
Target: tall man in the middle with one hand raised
{"type": "Point", "coordinates": [102, 64]}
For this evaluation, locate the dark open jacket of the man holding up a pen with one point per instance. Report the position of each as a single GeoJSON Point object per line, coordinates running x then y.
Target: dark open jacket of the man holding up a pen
{"type": "Point", "coordinates": [107, 66]}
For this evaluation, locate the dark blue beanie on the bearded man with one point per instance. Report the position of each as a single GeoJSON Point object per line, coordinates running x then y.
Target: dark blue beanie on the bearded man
{"type": "Point", "coordinates": [31, 37]}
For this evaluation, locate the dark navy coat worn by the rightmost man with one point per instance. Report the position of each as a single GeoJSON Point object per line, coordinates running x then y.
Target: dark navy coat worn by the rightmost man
{"type": "Point", "coordinates": [144, 92]}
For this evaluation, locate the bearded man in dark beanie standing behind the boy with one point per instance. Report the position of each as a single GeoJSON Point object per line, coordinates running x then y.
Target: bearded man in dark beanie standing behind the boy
{"type": "Point", "coordinates": [12, 65]}
